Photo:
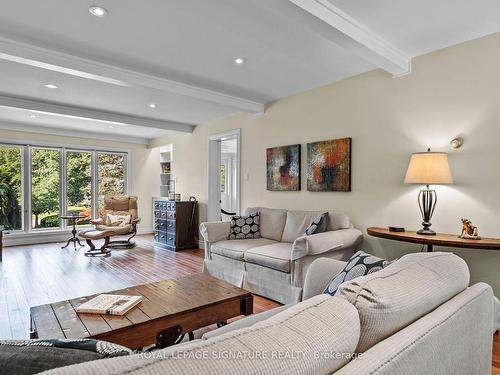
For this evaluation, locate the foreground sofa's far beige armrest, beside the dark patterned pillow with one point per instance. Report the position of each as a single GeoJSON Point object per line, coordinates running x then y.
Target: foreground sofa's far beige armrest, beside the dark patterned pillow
{"type": "Point", "coordinates": [319, 274]}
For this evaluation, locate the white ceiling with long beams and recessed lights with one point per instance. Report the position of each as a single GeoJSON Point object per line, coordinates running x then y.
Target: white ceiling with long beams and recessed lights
{"type": "Point", "coordinates": [179, 55]}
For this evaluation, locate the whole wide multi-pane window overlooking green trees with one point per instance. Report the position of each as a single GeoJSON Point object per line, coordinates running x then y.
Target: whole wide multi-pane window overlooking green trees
{"type": "Point", "coordinates": [47, 182]}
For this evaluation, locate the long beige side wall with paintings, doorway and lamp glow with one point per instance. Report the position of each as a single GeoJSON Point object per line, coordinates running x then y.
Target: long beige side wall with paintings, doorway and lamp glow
{"type": "Point", "coordinates": [450, 92]}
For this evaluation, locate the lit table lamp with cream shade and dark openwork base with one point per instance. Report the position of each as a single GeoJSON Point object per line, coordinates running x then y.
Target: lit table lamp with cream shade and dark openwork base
{"type": "Point", "coordinates": [428, 168]}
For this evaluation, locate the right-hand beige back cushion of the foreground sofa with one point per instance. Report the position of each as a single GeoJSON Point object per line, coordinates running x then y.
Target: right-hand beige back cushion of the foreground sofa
{"type": "Point", "coordinates": [404, 291]}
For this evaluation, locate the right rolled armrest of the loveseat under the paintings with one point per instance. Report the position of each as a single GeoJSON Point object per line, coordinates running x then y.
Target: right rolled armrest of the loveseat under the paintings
{"type": "Point", "coordinates": [324, 242]}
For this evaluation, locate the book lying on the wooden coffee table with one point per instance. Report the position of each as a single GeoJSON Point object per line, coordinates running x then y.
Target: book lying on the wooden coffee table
{"type": "Point", "coordinates": [112, 304]}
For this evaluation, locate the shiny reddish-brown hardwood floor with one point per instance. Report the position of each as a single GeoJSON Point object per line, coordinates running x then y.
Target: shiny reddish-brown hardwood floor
{"type": "Point", "coordinates": [39, 274]}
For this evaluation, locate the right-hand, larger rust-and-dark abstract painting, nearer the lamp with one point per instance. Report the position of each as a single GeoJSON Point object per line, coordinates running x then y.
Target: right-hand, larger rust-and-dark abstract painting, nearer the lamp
{"type": "Point", "coordinates": [329, 165]}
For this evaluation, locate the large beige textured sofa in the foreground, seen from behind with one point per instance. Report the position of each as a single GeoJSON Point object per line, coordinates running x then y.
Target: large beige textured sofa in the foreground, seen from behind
{"type": "Point", "coordinates": [417, 316]}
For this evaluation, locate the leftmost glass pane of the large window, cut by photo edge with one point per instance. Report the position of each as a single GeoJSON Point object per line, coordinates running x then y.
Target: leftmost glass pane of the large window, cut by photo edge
{"type": "Point", "coordinates": [11, 187]}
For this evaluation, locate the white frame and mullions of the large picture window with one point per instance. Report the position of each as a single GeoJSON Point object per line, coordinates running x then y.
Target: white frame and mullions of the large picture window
{"type": "Point", "coordinates": [26, 186]}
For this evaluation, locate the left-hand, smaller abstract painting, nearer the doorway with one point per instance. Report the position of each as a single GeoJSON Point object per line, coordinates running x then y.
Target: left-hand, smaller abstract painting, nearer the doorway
{"type": "Point", "coordinates": [283, 168]}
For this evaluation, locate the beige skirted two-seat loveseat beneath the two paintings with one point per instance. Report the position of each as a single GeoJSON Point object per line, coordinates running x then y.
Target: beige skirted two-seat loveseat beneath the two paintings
{"type": "Point", "coordinates": [275, 265]}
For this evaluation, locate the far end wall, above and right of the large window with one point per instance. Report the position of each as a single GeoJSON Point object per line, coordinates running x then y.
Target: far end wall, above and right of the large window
{"type": "Point", "coordinates": [144, 179]}
